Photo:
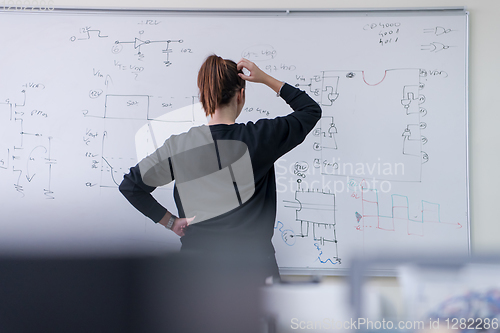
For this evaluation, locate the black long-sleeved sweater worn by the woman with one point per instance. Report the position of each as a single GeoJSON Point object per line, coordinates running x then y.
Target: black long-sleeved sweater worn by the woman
{"type": "Point", "coordinates": [249, 227]}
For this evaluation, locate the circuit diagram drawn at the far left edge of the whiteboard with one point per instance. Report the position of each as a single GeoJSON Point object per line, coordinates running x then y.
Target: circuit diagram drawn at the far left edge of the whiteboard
{"type": "Point", "coordinates": [28, 161]}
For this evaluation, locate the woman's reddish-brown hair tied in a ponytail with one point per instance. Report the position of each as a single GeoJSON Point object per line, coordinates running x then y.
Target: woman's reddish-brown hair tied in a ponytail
{"type": "Point", "coordinates": [218, 81]}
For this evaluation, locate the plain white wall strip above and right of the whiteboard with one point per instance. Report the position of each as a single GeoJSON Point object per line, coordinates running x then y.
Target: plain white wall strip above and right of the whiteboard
{"type": "Point", "coordinates": [484, 83]}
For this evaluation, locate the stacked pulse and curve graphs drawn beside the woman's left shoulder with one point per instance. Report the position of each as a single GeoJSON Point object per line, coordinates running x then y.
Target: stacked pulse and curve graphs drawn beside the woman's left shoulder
{"type": "Point", "coordinates": [131, 132]}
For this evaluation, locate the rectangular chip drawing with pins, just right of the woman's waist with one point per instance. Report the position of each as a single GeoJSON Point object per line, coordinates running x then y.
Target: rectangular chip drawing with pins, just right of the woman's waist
{"type": "Point", "coordinates": [315, 211]}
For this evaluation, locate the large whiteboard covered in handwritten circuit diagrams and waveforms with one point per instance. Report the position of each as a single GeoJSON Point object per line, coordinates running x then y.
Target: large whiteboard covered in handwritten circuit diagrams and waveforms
{"type": "Point", "coordinates": [85, 95]}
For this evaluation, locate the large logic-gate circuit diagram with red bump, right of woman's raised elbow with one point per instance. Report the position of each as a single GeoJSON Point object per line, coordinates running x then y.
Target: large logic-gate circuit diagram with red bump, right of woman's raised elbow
{"type": "Point", "coordinates": [353, 106]}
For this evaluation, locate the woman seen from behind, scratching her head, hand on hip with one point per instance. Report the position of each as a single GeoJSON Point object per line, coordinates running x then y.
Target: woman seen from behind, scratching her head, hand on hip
{"type": "Point", "coordinates": [217, 216]}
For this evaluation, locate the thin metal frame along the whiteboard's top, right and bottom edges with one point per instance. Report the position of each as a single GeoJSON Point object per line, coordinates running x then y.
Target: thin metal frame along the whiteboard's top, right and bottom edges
{"type": "Point", "coordinates": [369, 12]}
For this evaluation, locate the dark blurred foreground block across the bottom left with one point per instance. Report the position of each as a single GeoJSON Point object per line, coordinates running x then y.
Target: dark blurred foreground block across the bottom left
{"type": "Point", "coordinates": [170, 293]}
